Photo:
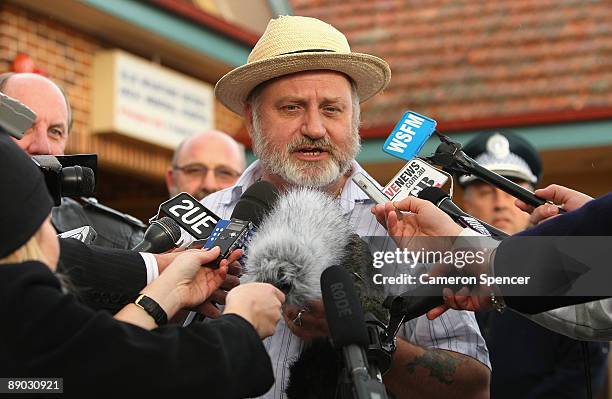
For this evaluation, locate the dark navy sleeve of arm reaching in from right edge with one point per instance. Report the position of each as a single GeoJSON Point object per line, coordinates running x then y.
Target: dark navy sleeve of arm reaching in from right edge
{"type": "Point", "coordinates": [546, 260]}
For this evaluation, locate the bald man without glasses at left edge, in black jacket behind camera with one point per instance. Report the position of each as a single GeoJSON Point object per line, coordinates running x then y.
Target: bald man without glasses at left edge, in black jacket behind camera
{"type": "Point", "coordinates": [48, 136]}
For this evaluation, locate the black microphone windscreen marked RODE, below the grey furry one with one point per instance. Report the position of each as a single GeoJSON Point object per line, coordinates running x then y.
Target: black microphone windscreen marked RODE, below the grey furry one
{"type": "Point", "coordinates": [342, 308]}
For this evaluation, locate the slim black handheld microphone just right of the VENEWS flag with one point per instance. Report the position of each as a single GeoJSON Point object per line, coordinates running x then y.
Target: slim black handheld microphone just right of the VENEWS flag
{"type": "Point", "coordinates": [441, 199]}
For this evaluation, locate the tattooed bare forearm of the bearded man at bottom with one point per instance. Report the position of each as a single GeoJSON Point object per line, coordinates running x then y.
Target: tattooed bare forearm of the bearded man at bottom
{"type": "Point", "coordinates": [435, 373]}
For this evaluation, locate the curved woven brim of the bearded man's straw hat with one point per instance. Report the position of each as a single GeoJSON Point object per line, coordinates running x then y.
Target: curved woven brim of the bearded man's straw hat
{"type": "Point", "coordinates": [370, 74]}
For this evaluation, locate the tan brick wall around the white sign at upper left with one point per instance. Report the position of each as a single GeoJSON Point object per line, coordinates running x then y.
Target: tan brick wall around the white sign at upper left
{"type": "Point", "coordinates": [65, 55]}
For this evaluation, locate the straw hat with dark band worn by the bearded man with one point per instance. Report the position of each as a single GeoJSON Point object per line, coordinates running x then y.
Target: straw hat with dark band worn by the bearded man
{"type": "Point", "coordinates": [294, 44]}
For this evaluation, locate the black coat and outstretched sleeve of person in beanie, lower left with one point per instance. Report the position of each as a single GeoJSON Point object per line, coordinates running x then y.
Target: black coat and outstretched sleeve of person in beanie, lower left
{"type": "Point", "coordinates": [50, 334]}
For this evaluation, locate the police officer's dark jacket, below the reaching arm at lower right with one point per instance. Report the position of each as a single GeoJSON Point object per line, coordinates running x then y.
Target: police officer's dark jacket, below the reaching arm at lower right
{"type": "Point", "coordinates": [531, 362]}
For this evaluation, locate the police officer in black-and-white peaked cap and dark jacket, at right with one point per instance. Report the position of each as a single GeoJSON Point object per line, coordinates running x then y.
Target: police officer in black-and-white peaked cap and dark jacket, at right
{"type": "Point", "coordinates": [528, 360]}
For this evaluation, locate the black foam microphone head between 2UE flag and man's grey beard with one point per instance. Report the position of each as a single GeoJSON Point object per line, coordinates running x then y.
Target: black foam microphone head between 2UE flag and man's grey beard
{"type": "Point", "coordinates": [255, 202]}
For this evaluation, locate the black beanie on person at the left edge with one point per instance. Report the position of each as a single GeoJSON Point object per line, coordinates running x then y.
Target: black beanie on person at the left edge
{"type": "Point", "coordinates": [25, 202]}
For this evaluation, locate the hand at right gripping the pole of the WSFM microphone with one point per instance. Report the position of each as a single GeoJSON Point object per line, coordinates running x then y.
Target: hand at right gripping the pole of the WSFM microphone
{"type": "Point", "coordinates": [561, 196]}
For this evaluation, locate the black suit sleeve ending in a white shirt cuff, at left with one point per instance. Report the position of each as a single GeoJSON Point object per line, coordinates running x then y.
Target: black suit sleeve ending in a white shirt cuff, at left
{"type": "Point", "coordinates": [103, 278]}
